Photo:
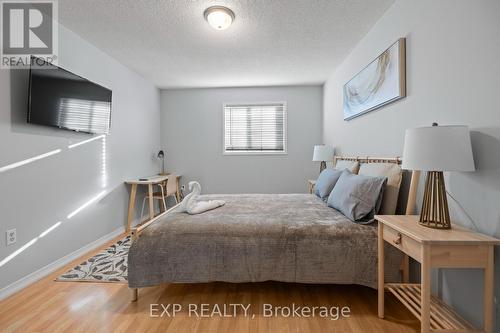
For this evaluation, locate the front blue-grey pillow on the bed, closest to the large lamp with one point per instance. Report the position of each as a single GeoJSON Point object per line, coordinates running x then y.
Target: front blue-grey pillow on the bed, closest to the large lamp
{"type": "Point", "coordinates": [357, 197]}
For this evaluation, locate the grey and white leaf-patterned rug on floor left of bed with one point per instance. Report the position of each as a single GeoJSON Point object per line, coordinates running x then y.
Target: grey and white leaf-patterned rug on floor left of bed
{"type": "Point", "coordinates": [109, 265]}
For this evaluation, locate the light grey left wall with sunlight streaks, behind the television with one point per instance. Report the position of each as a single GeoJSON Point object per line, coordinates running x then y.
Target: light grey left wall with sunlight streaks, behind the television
{"type": "Point", "coordinates": [35, 196]}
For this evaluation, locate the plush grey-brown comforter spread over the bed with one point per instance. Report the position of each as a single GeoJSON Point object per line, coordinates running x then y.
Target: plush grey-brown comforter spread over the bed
{"type": "Point", "coordinates": [259, 237]}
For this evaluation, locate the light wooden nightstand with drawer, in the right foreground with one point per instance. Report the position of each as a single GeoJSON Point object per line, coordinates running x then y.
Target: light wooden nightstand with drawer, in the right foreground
{"type": "Point", "coordinates": [453, 248]}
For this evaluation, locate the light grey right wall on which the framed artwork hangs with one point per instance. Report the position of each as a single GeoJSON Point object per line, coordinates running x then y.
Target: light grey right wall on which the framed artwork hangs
{"type": "Point", "coordinates": [453, 77]}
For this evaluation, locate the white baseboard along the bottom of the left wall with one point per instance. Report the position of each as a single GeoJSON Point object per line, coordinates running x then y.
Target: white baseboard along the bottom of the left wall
{"type": "Point", "coordinates": [46, 270]}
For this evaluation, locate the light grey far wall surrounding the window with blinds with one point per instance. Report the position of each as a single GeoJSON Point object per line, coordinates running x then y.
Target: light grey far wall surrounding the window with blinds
{"type": "Point", "coordinates": [191, 128]}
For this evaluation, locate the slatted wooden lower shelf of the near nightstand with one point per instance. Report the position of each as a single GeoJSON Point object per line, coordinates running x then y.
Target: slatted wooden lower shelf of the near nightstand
{"type": "Point", "coordinates": [443, 318]}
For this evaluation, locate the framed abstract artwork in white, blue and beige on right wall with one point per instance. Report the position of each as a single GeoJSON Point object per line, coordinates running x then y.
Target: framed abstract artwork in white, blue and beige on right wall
{"type": "Point", "coordinates": [381, 82]}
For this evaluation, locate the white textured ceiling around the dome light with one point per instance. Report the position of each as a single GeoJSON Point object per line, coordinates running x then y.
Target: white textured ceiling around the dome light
{"type": "Point", "coordinates": [271, 42]}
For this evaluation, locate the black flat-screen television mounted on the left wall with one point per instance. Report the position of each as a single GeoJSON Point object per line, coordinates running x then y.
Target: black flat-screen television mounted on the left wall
{"type": "Point", "coordinates": [62, 99]}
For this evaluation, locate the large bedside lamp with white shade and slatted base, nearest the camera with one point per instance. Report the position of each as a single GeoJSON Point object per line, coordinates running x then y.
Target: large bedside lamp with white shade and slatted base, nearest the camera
{"type": "Point", "coordinates": [436, 149]}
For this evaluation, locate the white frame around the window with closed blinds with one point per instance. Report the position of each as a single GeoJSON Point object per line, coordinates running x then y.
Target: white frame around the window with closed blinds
{"type": "Point", "coordinates": [252, 152]}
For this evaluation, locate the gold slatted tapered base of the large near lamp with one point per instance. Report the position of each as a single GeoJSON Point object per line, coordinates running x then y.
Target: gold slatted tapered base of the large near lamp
{"type": "Point", "coordinates": [435, 213]}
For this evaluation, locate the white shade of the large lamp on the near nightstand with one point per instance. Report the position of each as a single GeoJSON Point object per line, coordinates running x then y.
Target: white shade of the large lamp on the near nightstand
{"type": "Point", "coordinates": [438, 148]}
